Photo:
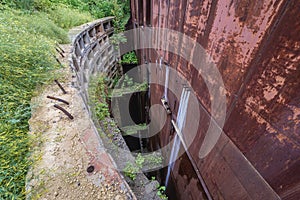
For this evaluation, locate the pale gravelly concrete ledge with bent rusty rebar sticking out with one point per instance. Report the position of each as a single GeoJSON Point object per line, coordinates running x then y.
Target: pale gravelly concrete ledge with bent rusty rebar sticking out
{"type": "Point", "coordinates": [65, 148]}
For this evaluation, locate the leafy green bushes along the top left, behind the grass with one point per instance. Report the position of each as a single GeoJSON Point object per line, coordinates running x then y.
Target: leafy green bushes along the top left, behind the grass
{"type": "Point", "coordinates": [69, 13]}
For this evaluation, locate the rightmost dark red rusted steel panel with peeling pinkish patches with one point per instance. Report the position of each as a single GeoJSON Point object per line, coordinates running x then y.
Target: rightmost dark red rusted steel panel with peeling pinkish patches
{"type": "Point", "coordinates": [268, 111]}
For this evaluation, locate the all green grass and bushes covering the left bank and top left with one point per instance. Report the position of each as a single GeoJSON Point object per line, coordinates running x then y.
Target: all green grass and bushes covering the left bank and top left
{"type": "Point", "coordinates": [29, 31]}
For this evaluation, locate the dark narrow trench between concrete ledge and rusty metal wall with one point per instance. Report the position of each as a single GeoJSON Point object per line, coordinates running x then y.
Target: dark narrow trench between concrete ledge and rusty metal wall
{"type": "Point", "coordinates": [139, 105]}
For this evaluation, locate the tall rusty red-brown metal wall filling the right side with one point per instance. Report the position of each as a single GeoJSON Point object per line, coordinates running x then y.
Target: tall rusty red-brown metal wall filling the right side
{"type": "Point", "coordinates": [256, 47]}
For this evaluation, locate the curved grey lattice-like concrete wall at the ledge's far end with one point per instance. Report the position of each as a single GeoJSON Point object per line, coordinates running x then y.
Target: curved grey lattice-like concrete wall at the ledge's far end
{"type": "Point", "coordinates": [92, 53]}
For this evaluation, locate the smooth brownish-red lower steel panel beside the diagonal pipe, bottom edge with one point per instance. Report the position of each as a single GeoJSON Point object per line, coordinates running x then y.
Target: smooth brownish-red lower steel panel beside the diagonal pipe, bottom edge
{"type": "Point", "coordinates": [225, 164]}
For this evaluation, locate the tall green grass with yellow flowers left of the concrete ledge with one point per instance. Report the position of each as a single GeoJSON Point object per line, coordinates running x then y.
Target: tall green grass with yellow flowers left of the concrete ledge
{"type": "Point", "coordinates": [26, 61]}
